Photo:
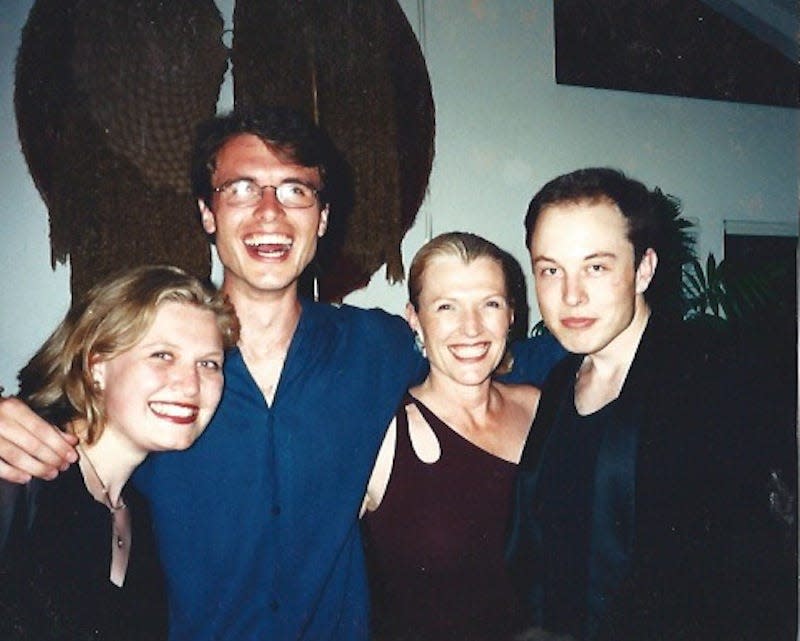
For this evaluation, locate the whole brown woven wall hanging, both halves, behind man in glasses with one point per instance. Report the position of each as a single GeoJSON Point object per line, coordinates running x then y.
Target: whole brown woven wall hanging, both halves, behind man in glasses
{"type": "Point", "coordinates": [108, 94]}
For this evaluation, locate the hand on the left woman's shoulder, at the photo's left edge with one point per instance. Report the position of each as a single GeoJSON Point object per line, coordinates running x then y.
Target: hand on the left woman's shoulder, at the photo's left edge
{"type": "Point", "coordinates": [30, 446]}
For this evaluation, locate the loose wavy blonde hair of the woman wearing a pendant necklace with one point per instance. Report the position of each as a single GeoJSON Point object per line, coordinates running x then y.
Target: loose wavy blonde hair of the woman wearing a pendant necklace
{"type": "Point", "coordinates": [108, 320]}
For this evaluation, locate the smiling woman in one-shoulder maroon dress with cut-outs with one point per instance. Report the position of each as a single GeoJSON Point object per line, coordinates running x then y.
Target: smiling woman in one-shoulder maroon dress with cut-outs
{"type": "Point", "coordinates": [440, 495]}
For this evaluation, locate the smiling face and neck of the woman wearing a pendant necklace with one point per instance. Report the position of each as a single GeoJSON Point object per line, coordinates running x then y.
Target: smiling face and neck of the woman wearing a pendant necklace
{"type": "Point", "coordinates": [160, 394]}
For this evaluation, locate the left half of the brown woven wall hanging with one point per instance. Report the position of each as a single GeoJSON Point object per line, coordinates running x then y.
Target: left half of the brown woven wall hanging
{"type": "Point", "coordinates": [107, 96]}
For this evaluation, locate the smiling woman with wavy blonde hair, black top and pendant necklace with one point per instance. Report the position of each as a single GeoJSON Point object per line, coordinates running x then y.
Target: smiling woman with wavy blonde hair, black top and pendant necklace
{"type": "Point", "coordinates": [135, 367]}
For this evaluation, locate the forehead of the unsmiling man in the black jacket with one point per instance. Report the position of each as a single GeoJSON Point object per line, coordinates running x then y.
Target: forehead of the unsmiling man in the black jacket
{"type": "Point", "coordinates": [580, 229]}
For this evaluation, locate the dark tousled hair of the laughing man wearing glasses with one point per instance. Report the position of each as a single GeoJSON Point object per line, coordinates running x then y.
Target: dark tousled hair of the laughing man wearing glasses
{"type": "Point", "coordinates": [289, 133]}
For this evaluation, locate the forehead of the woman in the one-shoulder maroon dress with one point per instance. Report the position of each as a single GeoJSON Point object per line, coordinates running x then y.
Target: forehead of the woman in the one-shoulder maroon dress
{"type": "Point", "coordinates": [447, 274]}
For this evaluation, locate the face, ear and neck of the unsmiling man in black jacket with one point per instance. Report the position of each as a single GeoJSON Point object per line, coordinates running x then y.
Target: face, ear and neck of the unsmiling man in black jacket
{"type": "Point", "coordinates": [591, 293]}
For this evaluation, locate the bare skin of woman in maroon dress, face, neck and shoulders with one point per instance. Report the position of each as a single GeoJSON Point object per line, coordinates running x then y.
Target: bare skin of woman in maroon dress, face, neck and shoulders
{"type": "Point", "coordinates": [463, 319]}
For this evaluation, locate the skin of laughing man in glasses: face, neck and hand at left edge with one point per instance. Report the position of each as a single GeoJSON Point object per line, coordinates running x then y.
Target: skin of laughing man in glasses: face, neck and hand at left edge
{"type": "Point", "coordinates": [261, 282]}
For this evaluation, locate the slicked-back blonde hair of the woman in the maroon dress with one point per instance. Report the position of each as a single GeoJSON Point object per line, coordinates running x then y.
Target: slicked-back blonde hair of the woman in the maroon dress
{"type": "Point", "coordinates": [468, 247]}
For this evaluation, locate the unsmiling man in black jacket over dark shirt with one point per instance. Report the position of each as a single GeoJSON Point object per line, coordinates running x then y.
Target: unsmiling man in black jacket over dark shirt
{"type": "Point", "coordinates": [634, 493]}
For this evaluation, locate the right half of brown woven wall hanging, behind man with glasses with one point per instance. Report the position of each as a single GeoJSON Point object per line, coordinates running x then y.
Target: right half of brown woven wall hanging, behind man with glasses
{"type": "Point", "coordinates": [357, 68]}
